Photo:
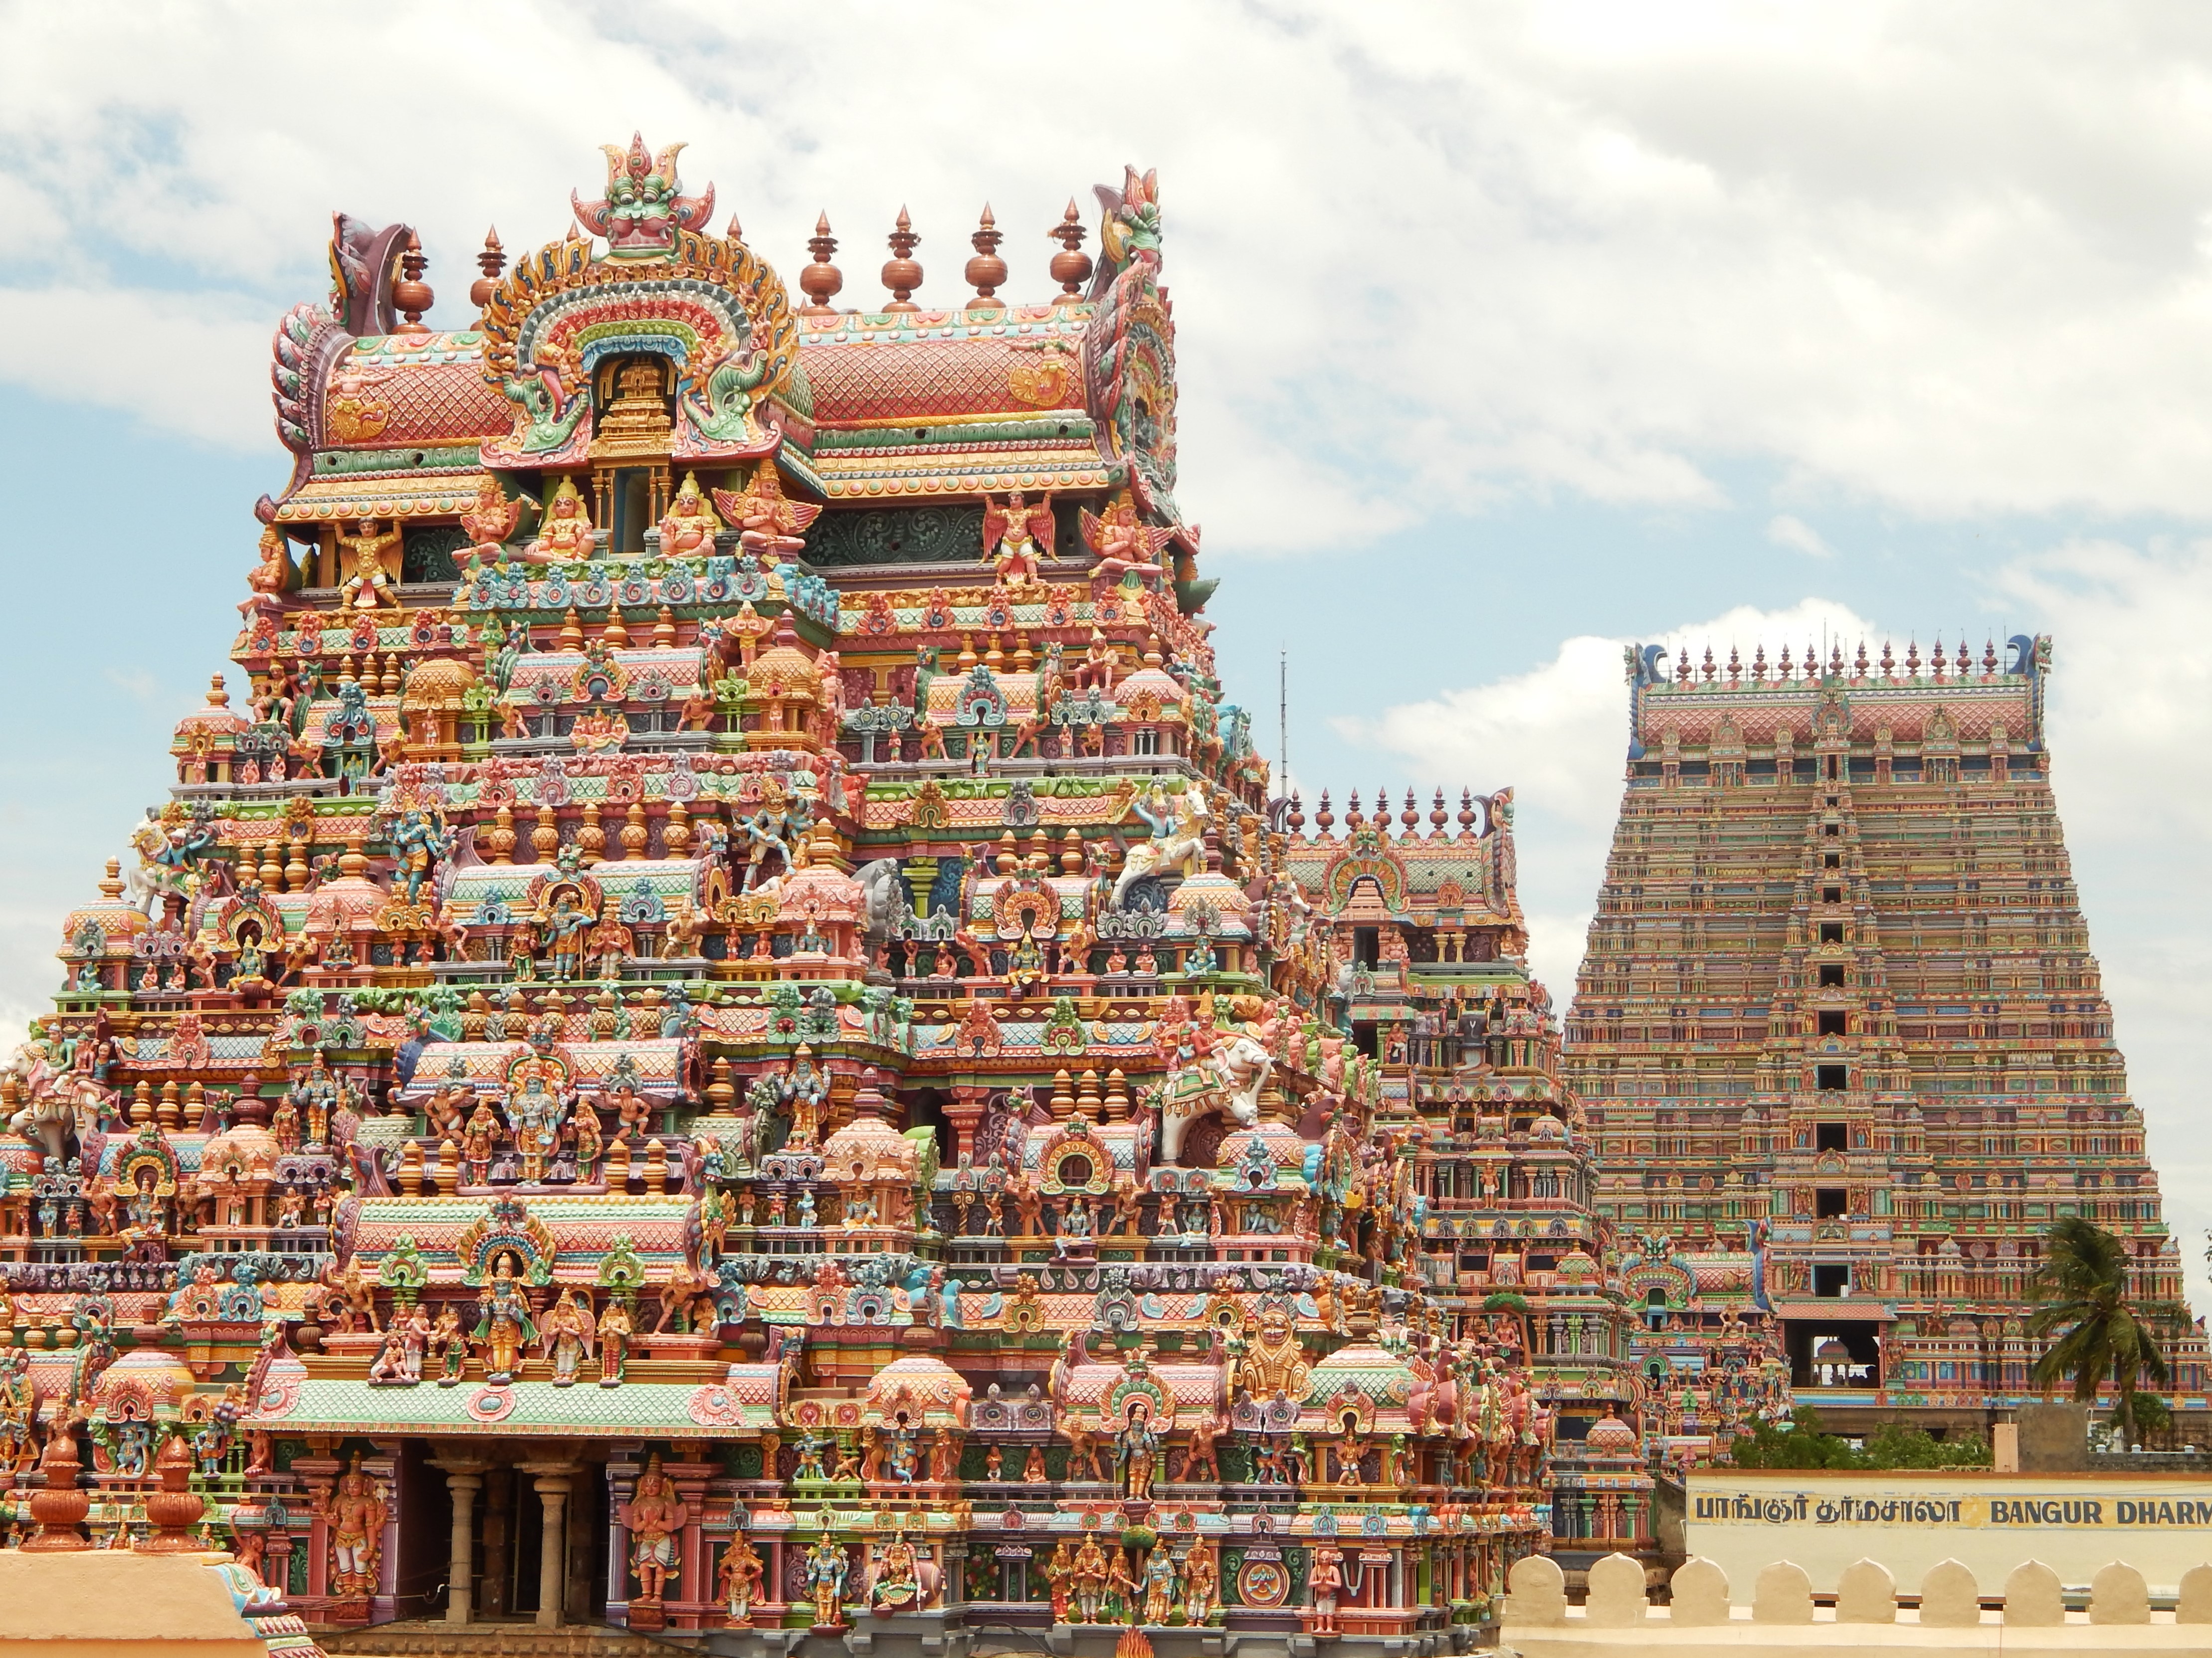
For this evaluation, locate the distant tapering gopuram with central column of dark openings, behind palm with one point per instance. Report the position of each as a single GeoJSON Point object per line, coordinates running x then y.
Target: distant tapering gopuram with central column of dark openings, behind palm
{"type": "Point", "coordinates": [1841, 1040]}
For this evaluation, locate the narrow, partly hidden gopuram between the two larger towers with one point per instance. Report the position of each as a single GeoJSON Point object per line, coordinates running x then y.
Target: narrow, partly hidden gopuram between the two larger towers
{"type": "Point", "coordinates": [1432, 983]}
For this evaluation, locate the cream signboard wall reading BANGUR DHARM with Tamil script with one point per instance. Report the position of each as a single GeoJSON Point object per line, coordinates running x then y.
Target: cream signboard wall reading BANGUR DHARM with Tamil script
{"type": "Point", "coordinates": [1914, 1520]}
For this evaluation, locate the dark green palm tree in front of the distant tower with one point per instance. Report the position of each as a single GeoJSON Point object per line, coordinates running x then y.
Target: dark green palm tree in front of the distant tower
{"type": "Point", "coordinates": [2107, 1336]}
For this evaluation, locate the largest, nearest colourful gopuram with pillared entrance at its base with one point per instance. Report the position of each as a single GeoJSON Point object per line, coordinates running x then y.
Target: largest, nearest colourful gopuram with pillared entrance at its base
{"type": "Point", "coordinates": [724, 1042]}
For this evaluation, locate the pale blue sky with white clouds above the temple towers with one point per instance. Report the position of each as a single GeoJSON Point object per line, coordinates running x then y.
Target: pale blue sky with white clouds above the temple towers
{"type": "Point", "coordinates": [1507, 337]}
